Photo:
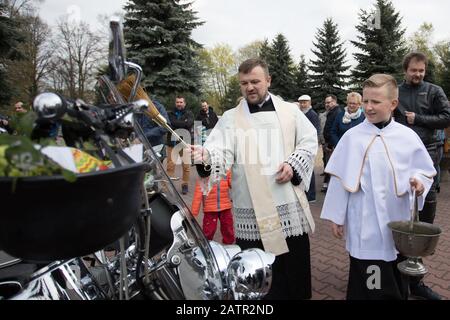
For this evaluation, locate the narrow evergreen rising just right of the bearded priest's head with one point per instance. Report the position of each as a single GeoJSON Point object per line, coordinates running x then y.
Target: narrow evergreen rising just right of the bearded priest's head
{"type": "Point", "coordinates": [281, 68]}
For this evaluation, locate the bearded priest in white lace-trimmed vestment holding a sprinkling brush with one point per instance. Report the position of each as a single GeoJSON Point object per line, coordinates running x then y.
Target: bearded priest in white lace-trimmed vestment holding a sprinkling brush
{"type": "Point", "coordinates": [270, 147]}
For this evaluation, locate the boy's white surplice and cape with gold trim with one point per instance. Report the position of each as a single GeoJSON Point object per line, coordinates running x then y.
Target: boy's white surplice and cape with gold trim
{"type": "Point", "coordinates": [369, 187]}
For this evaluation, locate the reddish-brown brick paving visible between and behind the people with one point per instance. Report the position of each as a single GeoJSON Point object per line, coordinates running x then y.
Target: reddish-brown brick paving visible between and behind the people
{"type": "Point", "coordinates": [330, 261]}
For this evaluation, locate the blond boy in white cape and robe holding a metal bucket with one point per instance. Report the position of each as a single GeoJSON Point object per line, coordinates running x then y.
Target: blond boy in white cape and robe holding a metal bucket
{"type": "Point", "coordinates": [374, 170]}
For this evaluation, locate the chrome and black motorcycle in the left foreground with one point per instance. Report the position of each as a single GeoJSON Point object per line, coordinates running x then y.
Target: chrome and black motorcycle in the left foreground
{"type": "Point", "coordinates": [119, 234]}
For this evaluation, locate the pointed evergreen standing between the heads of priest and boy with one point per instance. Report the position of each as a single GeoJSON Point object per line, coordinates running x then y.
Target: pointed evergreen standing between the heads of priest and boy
{"type": "Point", "coordinates": [329, 69]}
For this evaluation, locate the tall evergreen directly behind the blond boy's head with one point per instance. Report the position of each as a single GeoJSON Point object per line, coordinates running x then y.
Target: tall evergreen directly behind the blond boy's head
{"type": "Point", "coordinates": [381, 42]}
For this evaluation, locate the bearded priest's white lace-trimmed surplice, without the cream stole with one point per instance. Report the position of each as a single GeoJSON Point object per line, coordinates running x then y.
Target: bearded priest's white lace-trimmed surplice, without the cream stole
{"type": "Point", "coordinates": [222, 147]}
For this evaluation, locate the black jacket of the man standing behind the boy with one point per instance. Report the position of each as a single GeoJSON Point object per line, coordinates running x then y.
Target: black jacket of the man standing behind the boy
{"type": "Point", "coordinates": [429, 103]}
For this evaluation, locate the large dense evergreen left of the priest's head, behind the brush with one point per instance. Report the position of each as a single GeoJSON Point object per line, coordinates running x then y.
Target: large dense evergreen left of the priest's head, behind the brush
{"type": "Point", "coordinates": [158, 37]}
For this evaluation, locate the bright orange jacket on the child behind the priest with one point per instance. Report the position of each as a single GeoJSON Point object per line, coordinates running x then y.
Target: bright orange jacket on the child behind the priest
{"type": "Point", "coordinates": [217, 200]}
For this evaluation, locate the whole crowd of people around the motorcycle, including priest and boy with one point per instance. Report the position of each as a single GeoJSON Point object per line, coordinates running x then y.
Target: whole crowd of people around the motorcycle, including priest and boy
{"type": "Point", "coordinates": [256, 172]}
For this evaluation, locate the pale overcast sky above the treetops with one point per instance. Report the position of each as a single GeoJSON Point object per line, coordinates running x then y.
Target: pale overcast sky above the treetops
{"type": "Point", "coordinates": [240, 22]}
